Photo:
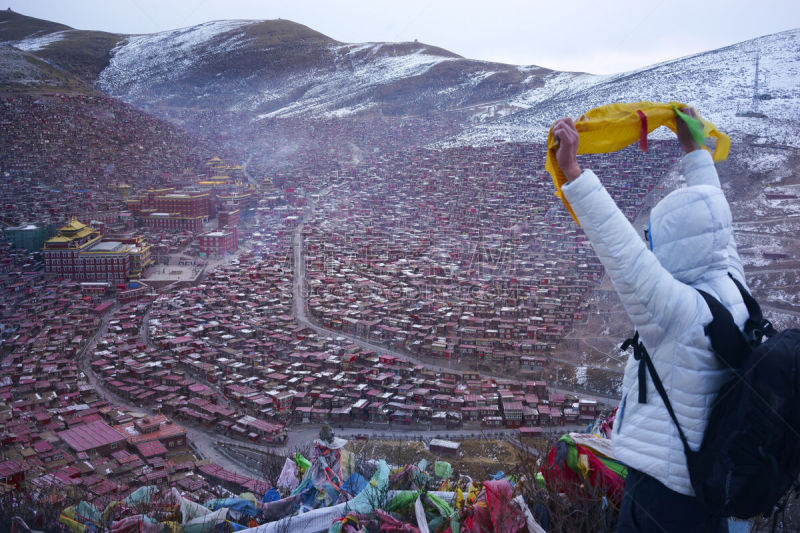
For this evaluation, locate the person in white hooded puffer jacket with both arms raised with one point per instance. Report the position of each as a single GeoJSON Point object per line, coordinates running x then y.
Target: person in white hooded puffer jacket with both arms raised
{"type": "Point", "coordinates": [689, 246]}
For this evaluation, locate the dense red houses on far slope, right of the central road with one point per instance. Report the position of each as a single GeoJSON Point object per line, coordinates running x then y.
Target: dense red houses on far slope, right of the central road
{"type": "Point", "coordinates": [408, 258]}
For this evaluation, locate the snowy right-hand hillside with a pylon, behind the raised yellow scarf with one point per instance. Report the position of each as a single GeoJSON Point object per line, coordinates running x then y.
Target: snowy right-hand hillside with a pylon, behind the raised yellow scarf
{"type": "Point", "coordinates": [719, 83]}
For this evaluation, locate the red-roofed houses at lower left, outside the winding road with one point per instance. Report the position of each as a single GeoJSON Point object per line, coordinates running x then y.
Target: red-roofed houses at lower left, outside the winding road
{"type": "Point", "coordinates": [57, 432]}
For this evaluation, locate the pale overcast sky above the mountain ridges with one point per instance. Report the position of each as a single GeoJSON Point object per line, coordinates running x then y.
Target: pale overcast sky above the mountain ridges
{"type": "Point", "coordinates": [598, 36]}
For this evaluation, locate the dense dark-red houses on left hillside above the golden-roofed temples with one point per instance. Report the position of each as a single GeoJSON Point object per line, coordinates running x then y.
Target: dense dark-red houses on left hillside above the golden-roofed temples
{"type": "Point", "coordinates": [65, 156]}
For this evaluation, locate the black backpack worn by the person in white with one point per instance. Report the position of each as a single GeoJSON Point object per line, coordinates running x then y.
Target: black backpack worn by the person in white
{"type": "Point", "coordinates": [750, 454]}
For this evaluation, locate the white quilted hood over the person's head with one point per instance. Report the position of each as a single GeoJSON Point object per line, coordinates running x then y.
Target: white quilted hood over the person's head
{"type": "Point", "coordinates": [689, 233]}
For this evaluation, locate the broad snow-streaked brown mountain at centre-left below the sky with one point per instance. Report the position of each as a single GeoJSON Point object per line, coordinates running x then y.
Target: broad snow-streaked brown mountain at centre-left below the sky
{"type": "Point", "coordinates": [278, 68]}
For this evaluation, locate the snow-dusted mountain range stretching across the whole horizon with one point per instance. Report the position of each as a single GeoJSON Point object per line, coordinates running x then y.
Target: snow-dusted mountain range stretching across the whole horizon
{"type": "Point", "coordinates": [279, 68]}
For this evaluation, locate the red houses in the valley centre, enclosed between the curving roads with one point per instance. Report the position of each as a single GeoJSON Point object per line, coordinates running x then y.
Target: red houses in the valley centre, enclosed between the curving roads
{"type": "Point", "coordinates": [236, 333]}
